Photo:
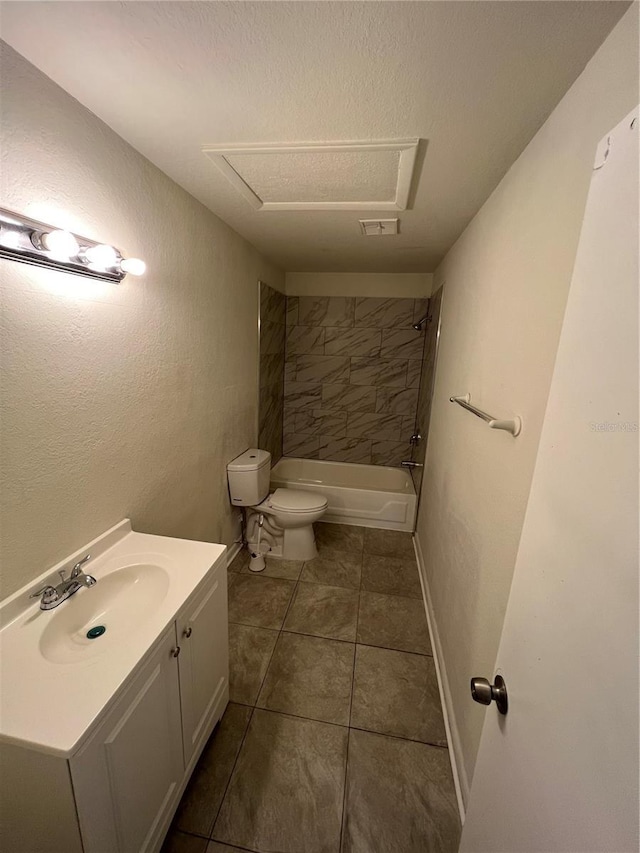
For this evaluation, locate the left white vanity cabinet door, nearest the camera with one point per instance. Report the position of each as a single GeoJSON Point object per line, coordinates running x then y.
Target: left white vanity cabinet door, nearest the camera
{"type": "Point", "coordinates": [129, 773]}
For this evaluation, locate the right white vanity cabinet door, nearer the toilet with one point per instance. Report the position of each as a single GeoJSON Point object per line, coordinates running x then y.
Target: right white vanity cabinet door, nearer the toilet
{"type": "Point", "coordinates": [204, 661]}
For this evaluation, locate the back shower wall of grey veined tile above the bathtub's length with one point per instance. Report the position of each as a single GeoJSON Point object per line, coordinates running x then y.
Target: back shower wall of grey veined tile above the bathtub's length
{"type": "Point", "coordinates": [352, 375]}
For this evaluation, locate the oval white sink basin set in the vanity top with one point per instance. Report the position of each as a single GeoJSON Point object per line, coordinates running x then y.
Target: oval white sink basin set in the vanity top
{"type": "Point", "coordinates": [121, 602]}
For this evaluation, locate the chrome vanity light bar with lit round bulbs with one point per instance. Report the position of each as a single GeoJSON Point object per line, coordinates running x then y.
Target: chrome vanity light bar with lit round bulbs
{"type": "Point", "coordinates": [33, 242]}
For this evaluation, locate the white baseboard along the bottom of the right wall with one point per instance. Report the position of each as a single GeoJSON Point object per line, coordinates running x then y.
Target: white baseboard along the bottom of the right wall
{"type": "Point", "coordinates": [453, 738]}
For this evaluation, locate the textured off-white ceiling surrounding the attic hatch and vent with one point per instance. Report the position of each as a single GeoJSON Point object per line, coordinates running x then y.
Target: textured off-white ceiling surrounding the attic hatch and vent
{"type": "Point", "coordinates": [475, 80]}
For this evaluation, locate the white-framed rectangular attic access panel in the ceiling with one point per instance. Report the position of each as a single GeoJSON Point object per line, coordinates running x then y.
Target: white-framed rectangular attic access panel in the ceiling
{"type": "Point", "coordinates": [373, 175]}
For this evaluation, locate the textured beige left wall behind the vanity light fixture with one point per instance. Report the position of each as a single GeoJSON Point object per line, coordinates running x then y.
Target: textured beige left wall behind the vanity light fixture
{"type": "Point", "coordinates": [117, 400]}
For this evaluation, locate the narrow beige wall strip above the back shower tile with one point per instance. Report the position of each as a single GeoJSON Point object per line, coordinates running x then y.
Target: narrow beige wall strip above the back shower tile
{"type": "Point", "coordinates": [408, 285]}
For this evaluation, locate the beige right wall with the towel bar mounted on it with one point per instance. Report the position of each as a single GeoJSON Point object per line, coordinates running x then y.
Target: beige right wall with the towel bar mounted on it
{"type": "Point", "coordinates": [506, 283]}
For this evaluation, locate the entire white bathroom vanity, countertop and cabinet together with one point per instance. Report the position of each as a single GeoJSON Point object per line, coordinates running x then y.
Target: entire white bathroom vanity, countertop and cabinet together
{"type": "Point", "coordinates": [109, 698]}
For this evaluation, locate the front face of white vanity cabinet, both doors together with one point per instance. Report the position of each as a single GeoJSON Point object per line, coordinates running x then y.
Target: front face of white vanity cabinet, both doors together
{"type": "Point", "coordinates": [128, 777]}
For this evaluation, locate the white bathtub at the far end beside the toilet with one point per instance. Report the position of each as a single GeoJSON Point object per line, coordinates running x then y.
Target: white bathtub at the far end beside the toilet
{"type": "Point", "coordinates": [366, 495]}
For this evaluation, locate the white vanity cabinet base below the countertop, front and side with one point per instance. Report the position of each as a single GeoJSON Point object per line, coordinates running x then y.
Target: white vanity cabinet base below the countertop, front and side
{"type": "Point", "coordinates": [118, 791]}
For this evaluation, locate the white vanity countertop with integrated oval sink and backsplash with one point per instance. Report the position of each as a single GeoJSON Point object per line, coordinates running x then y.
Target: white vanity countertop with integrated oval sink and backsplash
{"type": "Point", "coordinates": [55, 682]}
